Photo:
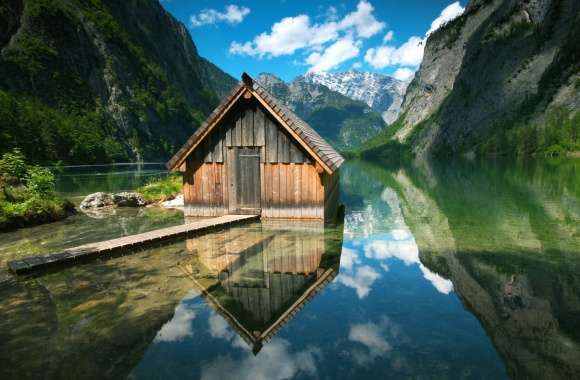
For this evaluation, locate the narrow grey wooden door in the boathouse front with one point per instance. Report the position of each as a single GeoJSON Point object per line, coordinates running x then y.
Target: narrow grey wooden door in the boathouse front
{"type": "Point", "coordinates": [246, 181]}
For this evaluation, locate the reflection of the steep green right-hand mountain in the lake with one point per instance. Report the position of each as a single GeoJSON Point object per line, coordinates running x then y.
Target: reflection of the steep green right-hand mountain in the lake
{"type": "Point", "coordinates": [509, 239]}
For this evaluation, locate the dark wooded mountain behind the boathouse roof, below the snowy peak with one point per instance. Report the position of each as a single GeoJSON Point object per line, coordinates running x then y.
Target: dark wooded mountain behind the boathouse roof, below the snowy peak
{"type": "Point", "coordinates": [344, 122]}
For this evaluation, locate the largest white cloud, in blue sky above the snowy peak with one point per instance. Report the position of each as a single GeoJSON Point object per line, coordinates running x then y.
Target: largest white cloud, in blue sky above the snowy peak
{"type": "Point", "coordinates": [291, 34]}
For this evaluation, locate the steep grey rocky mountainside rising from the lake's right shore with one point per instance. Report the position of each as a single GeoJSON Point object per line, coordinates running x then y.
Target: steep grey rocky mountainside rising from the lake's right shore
{"type": "Point", "coordinates": [503, 78]}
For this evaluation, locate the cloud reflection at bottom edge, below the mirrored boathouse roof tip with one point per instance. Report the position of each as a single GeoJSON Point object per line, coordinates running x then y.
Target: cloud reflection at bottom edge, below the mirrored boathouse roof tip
{"type": "Point", "coordinates": [275, 361]}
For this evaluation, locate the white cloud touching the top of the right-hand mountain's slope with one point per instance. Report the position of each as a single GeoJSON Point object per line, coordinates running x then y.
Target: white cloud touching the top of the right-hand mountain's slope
{"type": "Point", "coordinates": [411, 52]}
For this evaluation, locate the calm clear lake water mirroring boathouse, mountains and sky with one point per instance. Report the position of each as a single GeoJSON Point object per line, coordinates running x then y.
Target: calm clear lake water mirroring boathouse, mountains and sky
{"type": "Point", "coordinates": [461, 270]}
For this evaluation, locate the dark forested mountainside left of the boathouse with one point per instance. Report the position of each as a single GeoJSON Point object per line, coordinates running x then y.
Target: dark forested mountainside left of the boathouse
{"type": "Point", "coordinates": [100, 80]}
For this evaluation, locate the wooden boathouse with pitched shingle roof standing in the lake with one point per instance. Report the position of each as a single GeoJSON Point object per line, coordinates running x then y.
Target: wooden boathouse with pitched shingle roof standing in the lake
{"type": "Point", "coordinates": [255, 156]}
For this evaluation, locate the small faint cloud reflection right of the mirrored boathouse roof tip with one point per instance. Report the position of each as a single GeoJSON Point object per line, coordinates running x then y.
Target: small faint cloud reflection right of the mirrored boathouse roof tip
{"type": "Point", "coordinates": [373, 337]}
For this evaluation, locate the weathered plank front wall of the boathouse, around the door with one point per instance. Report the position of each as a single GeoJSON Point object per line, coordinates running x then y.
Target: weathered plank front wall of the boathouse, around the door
{"type": "Point", "coordinates": [290, 184]}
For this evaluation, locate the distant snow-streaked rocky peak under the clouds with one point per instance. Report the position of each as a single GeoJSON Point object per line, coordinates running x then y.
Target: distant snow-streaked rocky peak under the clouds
{"type": "Point", "coordinates": [382, 93]}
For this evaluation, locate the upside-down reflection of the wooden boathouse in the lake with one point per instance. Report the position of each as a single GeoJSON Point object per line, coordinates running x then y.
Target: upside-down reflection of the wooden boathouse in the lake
{"type": "Point", "coordinates": [259, 277]}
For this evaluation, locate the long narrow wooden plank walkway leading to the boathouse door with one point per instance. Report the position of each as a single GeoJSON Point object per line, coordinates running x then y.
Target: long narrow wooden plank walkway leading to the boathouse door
{"type": "Point", "coordinates": [35, 263]}
